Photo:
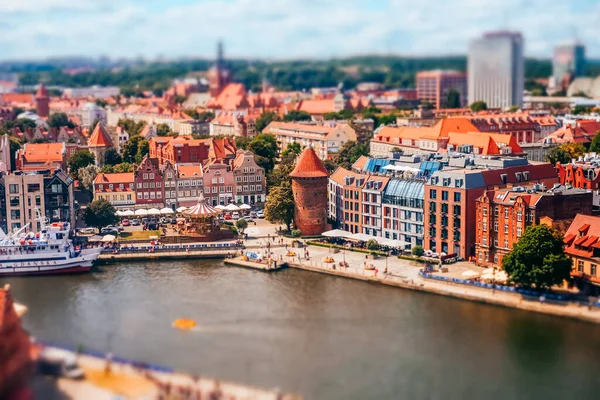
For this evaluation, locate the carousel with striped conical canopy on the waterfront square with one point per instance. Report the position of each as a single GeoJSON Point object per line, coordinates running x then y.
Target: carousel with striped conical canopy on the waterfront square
{"type": "Point", "coordinates": [202, 223]}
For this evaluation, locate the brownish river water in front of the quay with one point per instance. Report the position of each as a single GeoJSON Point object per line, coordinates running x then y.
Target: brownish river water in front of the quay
{"type": "Point", "coordinates": [321, 336]}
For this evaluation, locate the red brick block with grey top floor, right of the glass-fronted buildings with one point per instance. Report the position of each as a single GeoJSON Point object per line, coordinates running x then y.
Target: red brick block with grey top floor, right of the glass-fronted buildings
{"type": "Point", "coordinates": [451, 195]}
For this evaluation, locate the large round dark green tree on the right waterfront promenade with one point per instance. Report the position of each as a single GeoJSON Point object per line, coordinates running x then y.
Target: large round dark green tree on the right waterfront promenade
{"type": "Point", "coordinates": [538, 259]}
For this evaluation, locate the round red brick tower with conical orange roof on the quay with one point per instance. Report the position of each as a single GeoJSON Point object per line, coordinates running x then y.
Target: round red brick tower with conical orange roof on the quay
{"type": "Point", "coordinates": [309, 185]}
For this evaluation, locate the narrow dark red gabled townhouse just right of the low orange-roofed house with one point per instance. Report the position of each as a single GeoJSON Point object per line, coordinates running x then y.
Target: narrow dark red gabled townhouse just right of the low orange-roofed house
{"type": "Point", "coordinates": [149, 186]}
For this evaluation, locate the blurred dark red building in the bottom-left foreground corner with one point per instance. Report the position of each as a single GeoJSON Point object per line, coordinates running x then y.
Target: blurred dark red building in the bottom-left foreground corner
{"type": "Point", "coordinates": [15, 361]}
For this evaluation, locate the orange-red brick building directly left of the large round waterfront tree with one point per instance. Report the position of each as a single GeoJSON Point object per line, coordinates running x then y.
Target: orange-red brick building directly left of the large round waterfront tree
{"type": "Point", "coordinates": [503, 215]}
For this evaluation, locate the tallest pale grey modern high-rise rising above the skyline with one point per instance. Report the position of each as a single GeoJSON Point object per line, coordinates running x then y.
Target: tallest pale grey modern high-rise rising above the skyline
{"type": "Point", "coordinates": [496, 70]}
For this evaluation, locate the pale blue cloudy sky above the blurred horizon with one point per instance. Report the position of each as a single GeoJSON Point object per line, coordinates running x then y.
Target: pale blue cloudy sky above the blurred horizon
{"type": "Point", "coordinates": [284, 28]}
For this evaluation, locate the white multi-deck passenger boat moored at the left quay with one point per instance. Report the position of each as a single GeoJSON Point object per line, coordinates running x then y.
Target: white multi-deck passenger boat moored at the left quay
{"type": "Point", "coordinates": [49, 251]}
